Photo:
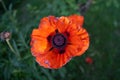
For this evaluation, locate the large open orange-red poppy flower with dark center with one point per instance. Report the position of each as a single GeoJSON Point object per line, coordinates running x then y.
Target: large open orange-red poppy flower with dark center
{"type": "Point", "coordinates": [58, 39]}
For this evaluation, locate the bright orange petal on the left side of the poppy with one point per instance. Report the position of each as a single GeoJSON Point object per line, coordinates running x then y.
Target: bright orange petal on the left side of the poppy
{"type": "Point", "coordinates": [38, 43]}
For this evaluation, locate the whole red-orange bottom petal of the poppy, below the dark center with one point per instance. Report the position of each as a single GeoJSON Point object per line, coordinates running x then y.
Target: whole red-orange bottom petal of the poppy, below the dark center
{"type": "Point", "coordinates": [53, 59]}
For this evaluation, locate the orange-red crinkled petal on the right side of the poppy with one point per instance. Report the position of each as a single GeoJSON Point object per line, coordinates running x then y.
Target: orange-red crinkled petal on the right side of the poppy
{"type": "Point", "coordinates": [79, 42]}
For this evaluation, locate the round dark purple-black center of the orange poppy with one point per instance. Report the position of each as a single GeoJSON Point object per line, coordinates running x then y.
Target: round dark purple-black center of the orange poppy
{"type": "Point", "coordinates": [59, 40]}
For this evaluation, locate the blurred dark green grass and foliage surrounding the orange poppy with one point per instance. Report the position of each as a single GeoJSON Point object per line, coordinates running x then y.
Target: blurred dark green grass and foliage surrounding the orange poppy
{"type": "Point", "coordinates": [100, 62]}
